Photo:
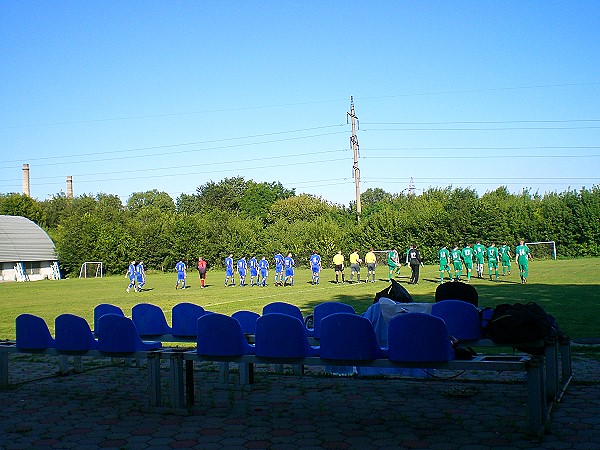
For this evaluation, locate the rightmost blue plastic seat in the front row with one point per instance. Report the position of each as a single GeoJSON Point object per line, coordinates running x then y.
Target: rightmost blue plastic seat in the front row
{"type": "Point", "coordinates": [419, 337]}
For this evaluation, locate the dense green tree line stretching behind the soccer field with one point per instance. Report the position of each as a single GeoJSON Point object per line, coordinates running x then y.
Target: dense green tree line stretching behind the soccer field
{"type": "Point", "coordinates": [244, 217]}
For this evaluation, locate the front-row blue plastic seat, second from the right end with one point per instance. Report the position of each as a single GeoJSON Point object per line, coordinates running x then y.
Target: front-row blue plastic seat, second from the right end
{"type": "Point", "coordinates": [349, 337]}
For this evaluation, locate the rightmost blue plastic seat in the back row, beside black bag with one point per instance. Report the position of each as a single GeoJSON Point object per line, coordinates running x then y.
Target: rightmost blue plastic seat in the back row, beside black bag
{"type": "Point", "coordinates": [461, 318]}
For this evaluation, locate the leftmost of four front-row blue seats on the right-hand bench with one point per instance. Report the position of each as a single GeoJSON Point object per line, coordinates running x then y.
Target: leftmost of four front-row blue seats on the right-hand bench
{"type": "Point", "coordinates": [221, 335]}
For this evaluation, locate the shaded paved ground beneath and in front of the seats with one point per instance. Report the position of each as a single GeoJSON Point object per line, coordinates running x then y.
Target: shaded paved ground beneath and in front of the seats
{"type": "Point", "coordinates": [106, 407]}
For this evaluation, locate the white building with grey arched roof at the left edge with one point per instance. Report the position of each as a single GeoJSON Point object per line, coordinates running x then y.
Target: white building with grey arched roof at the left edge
{"type": "Point", "coordinates": [26, 251]}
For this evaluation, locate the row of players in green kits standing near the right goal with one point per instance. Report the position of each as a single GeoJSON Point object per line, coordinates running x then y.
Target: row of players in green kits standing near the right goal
{"type": "Point", "coordinates": [476, 256]}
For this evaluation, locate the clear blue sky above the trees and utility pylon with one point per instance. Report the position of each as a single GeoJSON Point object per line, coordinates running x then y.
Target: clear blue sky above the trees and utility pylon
{"type": "Point", "coordinates": [129, 96]}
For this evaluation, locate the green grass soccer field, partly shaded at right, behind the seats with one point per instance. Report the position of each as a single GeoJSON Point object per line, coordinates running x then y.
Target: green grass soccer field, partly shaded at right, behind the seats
{"type": "Point", "coordinates": [568, 289]}
